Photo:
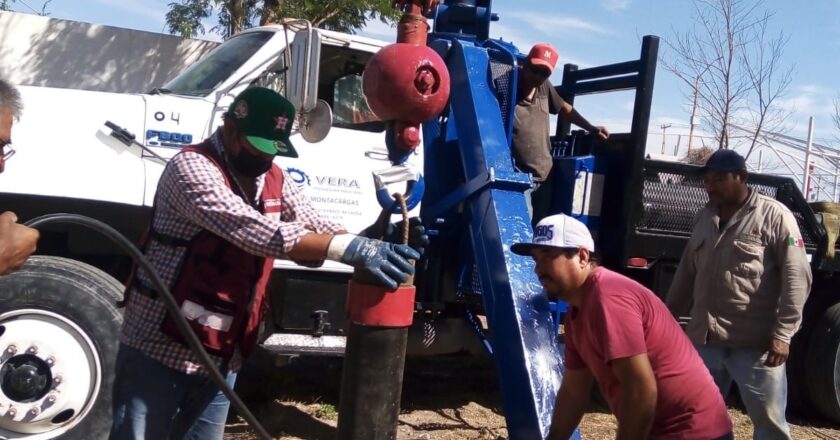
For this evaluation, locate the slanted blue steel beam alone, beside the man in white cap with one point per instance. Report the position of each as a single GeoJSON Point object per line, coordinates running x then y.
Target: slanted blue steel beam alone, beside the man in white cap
{"type": "Point", "coordinates": [527, 355]}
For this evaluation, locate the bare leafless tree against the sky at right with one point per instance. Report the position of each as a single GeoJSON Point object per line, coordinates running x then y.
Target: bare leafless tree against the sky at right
{"type": "Point", "coordinates": [733, 68]}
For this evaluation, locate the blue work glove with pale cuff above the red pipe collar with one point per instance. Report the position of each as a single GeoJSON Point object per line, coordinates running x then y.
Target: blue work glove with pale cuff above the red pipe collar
{"type": "Point", "coordinates": [386, 263]}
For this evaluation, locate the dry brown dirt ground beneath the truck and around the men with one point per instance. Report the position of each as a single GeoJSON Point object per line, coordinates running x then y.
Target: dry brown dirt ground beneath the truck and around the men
{"type": "Point", "coordinates": [444, 398]}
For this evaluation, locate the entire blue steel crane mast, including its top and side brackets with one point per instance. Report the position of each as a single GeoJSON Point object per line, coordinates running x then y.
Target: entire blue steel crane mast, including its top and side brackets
{"type": "Point", "coordinates": [474, 199]}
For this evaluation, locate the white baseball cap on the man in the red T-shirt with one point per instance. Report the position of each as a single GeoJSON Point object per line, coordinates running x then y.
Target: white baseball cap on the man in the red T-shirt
{"type": "Point", "coordinates": [557, 231]}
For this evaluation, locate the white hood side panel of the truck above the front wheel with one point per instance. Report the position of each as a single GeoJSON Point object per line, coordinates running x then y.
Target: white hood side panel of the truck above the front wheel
{"type": "Point", "coordinates": [64, 150]}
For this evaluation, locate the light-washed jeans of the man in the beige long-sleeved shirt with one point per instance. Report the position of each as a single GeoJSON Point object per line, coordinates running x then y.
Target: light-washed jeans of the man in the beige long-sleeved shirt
{"type": "Point", "coordinates": [763, 389]}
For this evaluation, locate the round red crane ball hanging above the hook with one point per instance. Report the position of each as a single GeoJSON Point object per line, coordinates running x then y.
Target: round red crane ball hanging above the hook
{"type": "Point", "coordinates": [406, 82]}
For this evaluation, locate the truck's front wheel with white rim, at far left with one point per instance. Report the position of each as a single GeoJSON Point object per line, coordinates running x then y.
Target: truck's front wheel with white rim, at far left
{"type": "Point", "coordinates": [58, 343]}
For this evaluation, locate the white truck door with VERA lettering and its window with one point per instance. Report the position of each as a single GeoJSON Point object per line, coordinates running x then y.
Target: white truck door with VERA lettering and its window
{"type": "Point", "coordinates": [335, 173]}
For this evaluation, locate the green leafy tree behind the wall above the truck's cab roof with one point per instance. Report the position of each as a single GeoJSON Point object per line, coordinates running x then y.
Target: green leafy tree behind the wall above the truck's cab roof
{"type": "Point", "coordinates": [185, 17]}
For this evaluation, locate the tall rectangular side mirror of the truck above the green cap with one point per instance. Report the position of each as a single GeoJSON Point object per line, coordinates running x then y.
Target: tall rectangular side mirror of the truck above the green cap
{"type": "Point", "coordinates": [303, 81]}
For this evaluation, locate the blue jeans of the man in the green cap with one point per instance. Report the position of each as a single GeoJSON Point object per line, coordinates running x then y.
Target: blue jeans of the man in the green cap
{"type": "Point", "coordinates": [155, 402]}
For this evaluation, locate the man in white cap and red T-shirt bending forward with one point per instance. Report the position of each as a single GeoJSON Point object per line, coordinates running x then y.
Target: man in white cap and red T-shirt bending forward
{"type": "Point", "coordinates": [620, 334]}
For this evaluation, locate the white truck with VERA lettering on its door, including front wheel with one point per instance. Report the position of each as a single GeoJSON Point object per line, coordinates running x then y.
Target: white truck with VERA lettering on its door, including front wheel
{"type": "Point", "coordinates": [58, 319]}
